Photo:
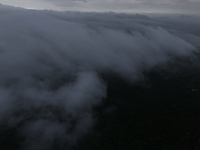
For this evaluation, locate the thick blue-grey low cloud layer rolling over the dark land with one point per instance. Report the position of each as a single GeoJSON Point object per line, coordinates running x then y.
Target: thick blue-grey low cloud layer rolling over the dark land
{"type": "Point", "coordinates": [51, 65]}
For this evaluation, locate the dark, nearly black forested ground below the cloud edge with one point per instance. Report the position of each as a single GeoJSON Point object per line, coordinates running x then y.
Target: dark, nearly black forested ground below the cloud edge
{"type": "Point", "coordinates": [161, 112]}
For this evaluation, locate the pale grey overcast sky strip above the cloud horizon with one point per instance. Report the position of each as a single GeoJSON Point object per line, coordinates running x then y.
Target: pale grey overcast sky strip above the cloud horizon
{"type": "Point", "coordinates": [141, 6]}
